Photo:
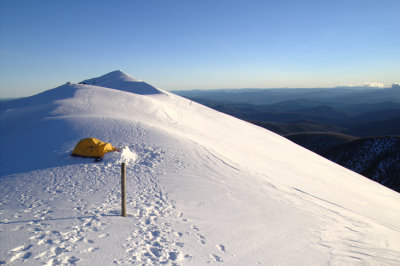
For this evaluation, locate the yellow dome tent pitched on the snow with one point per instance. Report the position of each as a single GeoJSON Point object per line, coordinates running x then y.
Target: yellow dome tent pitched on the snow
{"type": "Point", "coordinates": [92, 147]}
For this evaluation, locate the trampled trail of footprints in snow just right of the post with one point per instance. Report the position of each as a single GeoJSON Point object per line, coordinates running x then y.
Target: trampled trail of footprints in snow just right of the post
{"type": "Point", "coordinates": [150, 242]}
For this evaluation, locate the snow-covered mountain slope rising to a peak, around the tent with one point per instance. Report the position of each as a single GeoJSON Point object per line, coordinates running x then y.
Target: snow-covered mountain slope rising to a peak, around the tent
{"type": "Point", "coordinates": [203, 187]}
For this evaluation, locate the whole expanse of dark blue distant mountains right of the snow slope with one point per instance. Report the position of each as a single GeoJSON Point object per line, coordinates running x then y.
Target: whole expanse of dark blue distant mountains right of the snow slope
{"type": "Point", "coordinates": [344, 125]}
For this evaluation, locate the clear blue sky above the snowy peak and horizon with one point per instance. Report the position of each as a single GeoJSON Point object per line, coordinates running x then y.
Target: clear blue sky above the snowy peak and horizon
{"type": "Point", "coordinates": [204, 44]}
